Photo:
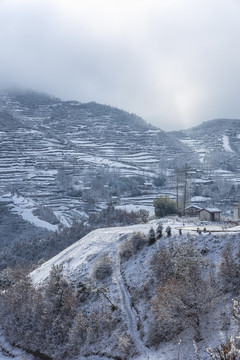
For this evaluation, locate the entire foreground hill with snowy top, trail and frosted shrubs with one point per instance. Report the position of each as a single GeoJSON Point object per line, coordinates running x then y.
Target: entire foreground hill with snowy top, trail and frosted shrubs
{"type": "Point", "coordinates": [114, 277]}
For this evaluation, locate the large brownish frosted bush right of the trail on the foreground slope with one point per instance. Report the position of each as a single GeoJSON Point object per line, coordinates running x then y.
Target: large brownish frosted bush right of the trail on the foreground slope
{"type": "Point", "coordinates": [186, 296]}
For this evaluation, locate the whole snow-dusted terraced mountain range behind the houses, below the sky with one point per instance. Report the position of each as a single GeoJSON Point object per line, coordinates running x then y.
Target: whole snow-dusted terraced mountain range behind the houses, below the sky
{"type": "Point", "coordinates": [61, 160]}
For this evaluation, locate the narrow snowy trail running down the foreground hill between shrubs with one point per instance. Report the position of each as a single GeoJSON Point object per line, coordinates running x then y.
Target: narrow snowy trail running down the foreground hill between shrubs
{"type": "Point", "coordinates": [132, 318]}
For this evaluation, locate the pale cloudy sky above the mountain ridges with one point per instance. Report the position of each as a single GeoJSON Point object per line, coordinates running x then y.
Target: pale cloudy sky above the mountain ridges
{"type": "Point", "coordinates": [175, 63]}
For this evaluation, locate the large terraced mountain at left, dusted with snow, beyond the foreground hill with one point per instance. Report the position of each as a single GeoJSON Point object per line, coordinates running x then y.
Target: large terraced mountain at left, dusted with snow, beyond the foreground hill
{"type": "Point", "coordinates": [69, 155]}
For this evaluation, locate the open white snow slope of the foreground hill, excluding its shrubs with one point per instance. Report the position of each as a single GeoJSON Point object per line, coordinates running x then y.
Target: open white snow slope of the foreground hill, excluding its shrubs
{"type": "Point", "coordinates": [80, 259]}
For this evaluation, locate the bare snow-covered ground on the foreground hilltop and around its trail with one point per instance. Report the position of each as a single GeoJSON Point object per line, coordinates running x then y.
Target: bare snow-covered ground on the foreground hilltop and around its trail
{"type": "Point", "coordinates": [78, 259]}
